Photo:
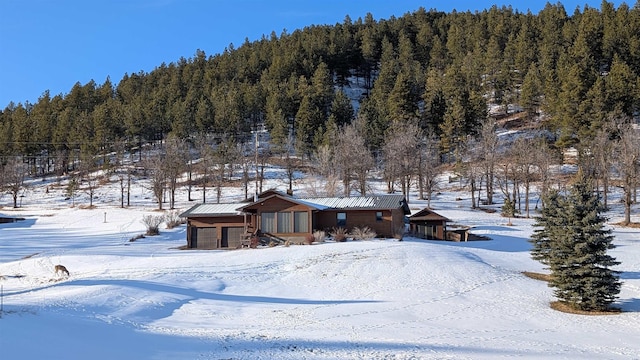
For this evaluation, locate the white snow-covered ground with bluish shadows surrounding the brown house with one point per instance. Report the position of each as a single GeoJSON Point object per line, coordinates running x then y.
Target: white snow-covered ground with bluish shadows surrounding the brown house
{"type": "Point", "coordinates": [378, 299]}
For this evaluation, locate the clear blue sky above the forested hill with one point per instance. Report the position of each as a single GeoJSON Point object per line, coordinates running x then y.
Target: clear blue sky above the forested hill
{"type": "Point", "coordinates": [52, 44]}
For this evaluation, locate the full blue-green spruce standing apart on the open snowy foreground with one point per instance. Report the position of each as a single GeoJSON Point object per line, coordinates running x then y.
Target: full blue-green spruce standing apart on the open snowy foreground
{"type": "Point", "coordinates": [573, 243]}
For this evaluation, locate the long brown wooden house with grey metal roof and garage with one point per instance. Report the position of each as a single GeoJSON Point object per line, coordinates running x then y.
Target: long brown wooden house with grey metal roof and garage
{"type": "Point", "coordinates": [278, 216]}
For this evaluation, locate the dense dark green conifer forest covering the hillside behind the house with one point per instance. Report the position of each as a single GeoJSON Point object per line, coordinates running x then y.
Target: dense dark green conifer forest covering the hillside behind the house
{"type": "Point", "coordinates": [430, 79]}
